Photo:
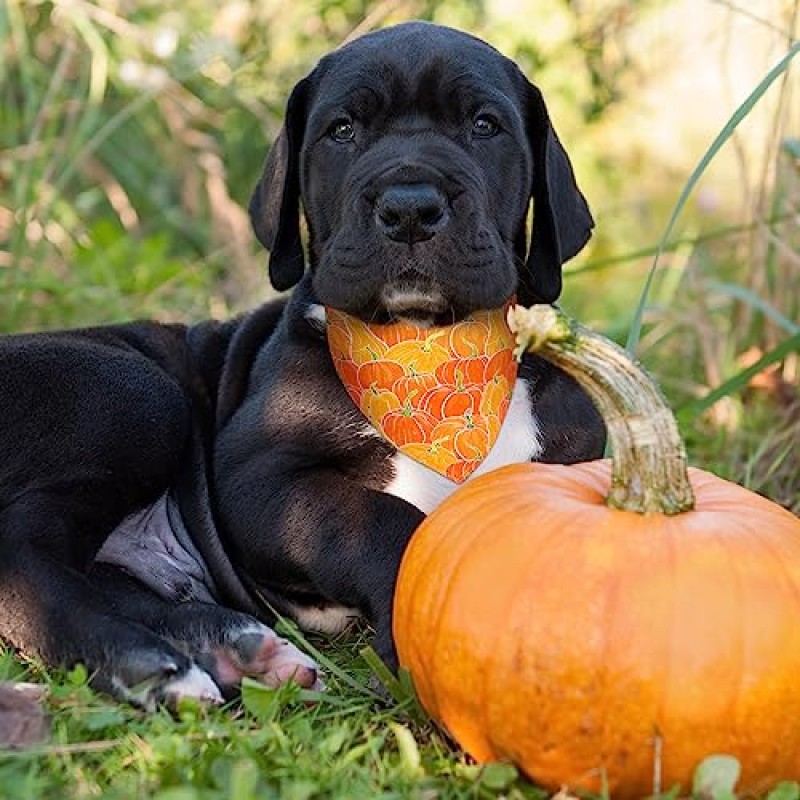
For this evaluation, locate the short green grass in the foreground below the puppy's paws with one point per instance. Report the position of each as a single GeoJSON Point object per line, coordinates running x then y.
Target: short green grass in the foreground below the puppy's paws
{"type": "Point", "coordinates": [273, 744]}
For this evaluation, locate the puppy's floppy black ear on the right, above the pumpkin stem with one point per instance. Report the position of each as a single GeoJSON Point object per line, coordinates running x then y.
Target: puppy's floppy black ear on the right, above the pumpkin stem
{"type": "Point", "coordinates": [562, 222]}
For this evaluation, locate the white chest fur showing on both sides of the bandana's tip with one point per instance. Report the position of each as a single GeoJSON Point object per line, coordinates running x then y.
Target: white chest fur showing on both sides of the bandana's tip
{"type": "Point", "coordinates": [519, 441]}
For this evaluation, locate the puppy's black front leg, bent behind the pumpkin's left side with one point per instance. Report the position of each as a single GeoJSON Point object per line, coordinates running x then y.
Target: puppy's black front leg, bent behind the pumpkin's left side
{"type": "Point", "coordinates": [311, 538]}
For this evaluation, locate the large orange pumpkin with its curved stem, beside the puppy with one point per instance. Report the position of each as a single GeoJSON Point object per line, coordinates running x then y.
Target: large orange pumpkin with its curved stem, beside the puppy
{"type": "Point", "coordinates": [608, 625]}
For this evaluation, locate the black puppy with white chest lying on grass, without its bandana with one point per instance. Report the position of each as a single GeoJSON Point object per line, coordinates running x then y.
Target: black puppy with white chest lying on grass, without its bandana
{"type": "Point", "coordinates": [162, 486]}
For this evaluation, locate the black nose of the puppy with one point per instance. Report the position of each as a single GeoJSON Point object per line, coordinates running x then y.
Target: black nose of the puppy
{"type": "Point", "coordinates": [411, 212]}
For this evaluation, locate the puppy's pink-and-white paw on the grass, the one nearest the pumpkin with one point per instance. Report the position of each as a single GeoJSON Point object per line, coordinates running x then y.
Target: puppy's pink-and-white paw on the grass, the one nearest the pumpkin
{"type": "Point", "coordinates": [254, 650]}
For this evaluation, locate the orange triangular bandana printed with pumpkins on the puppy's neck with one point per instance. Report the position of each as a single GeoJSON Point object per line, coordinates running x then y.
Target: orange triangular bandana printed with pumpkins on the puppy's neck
{"type": "Point", "coordinates": [439, 394]}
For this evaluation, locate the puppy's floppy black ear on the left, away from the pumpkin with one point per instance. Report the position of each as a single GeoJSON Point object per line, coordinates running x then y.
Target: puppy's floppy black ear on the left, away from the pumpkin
{"type": "Point", "coordinates": [275, 204]}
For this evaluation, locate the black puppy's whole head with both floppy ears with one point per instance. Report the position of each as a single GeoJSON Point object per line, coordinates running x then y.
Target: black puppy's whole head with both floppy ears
{"type": "Point", "coordinates": [415, 152]}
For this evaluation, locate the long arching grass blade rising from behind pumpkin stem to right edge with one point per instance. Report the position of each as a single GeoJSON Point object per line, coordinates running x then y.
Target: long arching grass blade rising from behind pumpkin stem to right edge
{"type": "Point", "coordinates": [722, 137]}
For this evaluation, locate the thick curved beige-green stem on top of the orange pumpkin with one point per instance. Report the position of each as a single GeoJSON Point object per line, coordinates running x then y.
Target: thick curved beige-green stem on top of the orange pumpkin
{"type": "Point", "coordinates": [649, 472]}
